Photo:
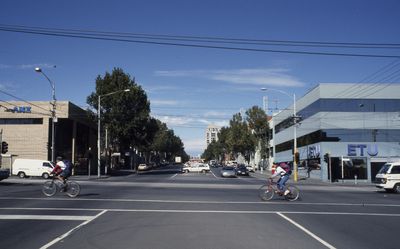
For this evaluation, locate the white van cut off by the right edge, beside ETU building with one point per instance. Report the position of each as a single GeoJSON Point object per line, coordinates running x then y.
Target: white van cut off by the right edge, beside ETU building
{"type": "Point", "coordinates": [388, 177]}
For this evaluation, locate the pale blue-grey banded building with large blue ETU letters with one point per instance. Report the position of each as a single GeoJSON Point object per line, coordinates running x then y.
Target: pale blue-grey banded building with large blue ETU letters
{"type": "Point", "coordinates": [345, 132]}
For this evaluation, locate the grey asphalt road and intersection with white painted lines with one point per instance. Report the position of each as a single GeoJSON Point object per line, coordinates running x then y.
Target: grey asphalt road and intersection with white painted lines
{"type": "Point", "coordinates": [166, 209]}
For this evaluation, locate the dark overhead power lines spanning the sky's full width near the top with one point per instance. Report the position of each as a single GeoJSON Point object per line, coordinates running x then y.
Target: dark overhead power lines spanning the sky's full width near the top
{"type": "Point", "coordinates": [204, 42]}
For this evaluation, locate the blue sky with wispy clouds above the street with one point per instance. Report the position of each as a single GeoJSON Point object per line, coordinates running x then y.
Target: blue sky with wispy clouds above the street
{"type": "Point", "coordinates": [191, 87]}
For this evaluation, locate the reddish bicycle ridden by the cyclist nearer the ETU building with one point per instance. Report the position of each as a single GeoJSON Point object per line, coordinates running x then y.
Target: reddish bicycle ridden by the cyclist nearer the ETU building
{"type": "Point", "coordinates": [267, 191]}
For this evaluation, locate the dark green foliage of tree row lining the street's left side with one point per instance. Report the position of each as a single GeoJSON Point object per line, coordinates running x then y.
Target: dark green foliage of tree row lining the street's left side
{"type": "Point", "coordinates": [127, 116]}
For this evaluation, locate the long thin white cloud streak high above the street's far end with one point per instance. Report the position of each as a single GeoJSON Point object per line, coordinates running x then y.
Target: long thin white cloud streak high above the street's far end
{"type": "Point", "coordinates": [264, 76]}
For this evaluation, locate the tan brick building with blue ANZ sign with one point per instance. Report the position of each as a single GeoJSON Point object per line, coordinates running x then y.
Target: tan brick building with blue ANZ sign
{"type": "Point", "coordinates": [27, 128]}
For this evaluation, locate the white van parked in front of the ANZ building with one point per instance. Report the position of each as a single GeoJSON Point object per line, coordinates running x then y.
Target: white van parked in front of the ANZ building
{"type": "Point", "coordinates": [32, 167]}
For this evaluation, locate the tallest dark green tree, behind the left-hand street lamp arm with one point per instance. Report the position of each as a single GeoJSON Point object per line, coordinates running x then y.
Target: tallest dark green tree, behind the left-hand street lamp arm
{"type": "Point", "coordinates": [125, 114]}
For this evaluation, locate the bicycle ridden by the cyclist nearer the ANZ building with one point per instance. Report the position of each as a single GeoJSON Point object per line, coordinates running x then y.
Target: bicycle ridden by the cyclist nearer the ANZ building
{"type": "Point", "coordinates": [71, 188]}
